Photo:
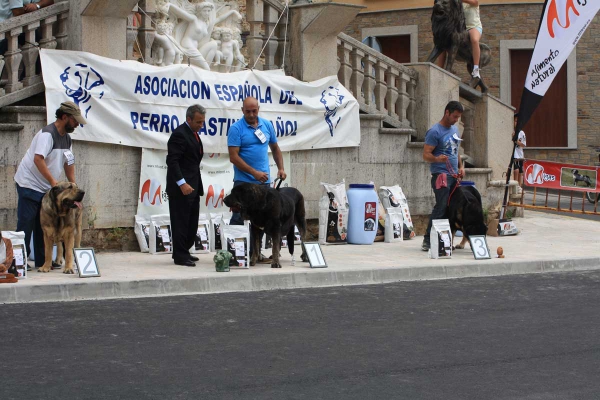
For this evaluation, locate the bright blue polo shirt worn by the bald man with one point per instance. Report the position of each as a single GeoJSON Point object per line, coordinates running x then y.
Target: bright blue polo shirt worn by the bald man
{"type": "Point", "coordinates": [252, 150]}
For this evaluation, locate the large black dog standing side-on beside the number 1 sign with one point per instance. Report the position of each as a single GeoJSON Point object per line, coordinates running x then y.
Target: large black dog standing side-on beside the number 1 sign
{"type": "Point", "coordinates": [273, 211]}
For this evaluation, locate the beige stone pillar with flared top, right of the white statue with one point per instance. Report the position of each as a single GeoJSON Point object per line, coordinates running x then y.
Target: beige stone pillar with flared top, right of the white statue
{"type": "Point", "coordinates": [314, 28]}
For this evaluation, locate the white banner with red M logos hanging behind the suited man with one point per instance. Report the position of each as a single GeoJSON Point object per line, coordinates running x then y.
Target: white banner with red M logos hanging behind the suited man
{"type": "Point", "coordinates": [217, 178]}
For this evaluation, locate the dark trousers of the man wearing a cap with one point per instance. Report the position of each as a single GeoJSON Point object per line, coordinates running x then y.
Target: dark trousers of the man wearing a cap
{"type": "Point", "coordinates": [28, 221]}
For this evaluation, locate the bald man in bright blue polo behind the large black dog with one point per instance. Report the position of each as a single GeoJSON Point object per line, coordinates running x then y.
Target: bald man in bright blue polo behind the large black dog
{"type": "Point", "coordinates": [248, 141]}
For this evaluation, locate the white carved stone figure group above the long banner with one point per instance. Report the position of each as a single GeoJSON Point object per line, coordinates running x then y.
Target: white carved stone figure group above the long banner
{"type": "Point", "coordinates": [185, 31]}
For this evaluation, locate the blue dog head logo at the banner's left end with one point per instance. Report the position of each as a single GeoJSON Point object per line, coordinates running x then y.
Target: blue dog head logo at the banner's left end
{"type": "Point", "coordinates": [79, 83]}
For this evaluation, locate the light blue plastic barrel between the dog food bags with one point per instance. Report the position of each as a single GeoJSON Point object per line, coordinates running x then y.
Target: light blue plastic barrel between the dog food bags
{"type": "Point", "coordinates": [362, 217]}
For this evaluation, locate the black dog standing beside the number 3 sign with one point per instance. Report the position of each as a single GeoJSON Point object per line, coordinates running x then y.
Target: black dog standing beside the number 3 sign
{"type": "Point", "coordinates": [466, 213]}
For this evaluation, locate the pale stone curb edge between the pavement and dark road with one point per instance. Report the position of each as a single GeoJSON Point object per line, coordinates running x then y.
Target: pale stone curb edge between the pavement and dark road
{"type": "Point", "coordinates": [13, 293]}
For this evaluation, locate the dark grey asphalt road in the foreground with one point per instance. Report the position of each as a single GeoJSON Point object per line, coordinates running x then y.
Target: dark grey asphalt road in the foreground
{"type": "Point", "coordinates": [515, 337]}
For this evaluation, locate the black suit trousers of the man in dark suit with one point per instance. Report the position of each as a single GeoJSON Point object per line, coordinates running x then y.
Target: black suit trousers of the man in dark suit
{"type": "Point", "coordinates": [184, 211]}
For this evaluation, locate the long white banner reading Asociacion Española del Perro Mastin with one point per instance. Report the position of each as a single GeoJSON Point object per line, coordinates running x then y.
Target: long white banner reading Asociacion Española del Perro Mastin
{"type": "Point", "coordinates": [136, 104]}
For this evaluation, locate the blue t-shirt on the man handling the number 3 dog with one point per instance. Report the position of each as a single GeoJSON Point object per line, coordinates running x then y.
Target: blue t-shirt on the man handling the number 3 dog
{"type": "Point", "coordinates": [446, 142]}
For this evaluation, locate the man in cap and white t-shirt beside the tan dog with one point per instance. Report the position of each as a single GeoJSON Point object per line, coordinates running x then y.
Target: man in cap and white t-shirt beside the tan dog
{"type": "Point", "coordinates": [49, 154]}
